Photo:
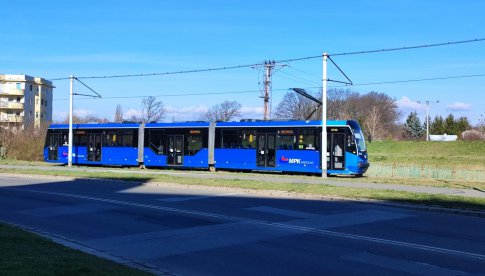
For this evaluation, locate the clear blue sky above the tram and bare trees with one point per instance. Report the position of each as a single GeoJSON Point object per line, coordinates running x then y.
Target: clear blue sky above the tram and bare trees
{"type": "Point", "coordinates": [54, 39]}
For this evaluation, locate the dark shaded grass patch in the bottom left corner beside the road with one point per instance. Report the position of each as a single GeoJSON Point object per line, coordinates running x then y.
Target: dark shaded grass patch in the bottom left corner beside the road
{"type": "Point", "coordinates": [23, 253]}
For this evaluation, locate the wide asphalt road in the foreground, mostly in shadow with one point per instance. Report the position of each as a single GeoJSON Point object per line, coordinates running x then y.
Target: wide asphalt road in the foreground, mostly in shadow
{"type": "Point", "coordinates": [194, 231]}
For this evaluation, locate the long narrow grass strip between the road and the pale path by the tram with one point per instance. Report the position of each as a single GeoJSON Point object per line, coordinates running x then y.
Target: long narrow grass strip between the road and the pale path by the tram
{"type": "Point", "coordinates": [312, 189]}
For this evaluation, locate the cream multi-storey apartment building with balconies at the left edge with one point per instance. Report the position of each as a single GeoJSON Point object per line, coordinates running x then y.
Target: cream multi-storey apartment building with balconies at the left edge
{"type": "Point", "coordinates": [25, 101]}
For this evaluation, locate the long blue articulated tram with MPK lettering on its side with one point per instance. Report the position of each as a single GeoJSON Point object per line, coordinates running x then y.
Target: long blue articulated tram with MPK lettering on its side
{"type": "Point", "coordinates": [288, 146]}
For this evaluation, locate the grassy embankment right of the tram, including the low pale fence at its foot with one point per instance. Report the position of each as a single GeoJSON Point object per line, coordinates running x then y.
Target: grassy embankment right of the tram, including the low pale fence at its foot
{"type": "Point", "coordinates": [448, 164]}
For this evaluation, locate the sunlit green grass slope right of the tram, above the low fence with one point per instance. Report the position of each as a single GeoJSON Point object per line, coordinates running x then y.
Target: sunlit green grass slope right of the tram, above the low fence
{"type": "Point", "coordinates": [465, 155]}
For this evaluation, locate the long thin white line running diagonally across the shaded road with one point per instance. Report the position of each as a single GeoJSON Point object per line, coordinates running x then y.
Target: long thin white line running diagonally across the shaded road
{"type": "Point", "coordinates": [266, 223]}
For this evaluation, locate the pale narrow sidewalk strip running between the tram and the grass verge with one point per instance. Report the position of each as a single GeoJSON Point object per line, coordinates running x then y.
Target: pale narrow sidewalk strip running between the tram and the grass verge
{"type": "Point", "coordinates": [266, 177]}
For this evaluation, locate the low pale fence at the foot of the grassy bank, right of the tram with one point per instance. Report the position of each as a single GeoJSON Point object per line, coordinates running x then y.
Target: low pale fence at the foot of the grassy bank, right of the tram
{"type": "Point", "coordinates": [423, 172]}
